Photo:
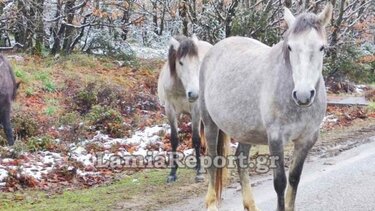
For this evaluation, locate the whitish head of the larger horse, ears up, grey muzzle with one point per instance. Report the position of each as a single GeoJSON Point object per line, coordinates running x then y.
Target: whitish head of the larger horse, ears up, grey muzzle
{"type": "Point", "coordinates": [304, 45]}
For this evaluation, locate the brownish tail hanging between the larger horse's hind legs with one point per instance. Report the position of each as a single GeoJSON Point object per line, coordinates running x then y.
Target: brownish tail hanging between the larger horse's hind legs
{"type": "Point", "coordinates": [222, 174]}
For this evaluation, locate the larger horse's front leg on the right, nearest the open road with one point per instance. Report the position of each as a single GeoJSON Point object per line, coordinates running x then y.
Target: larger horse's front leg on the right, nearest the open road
{"type": "Point", "coordinates": [301, 149]}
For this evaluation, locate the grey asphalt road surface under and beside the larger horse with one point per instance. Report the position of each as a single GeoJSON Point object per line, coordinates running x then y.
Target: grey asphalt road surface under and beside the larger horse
{"type": "Point", "coordinates": [342, 183]}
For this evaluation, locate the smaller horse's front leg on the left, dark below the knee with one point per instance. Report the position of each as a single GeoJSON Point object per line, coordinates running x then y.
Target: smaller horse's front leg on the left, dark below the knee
{"type": "Point", "coordinates": [171, 114]}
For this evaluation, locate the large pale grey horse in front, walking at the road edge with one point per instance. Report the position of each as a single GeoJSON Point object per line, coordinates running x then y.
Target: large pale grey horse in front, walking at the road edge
{"type": "Point", "coordinates": [258, 94]}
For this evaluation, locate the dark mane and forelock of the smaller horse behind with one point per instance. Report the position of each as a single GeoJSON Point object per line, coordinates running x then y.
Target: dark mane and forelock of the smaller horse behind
{"type": "Point", "coordinates": [187, 48]}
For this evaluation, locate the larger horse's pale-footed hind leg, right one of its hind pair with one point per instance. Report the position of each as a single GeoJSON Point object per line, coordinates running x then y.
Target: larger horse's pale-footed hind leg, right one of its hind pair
{"type": "Point", "coordinates": [242, 155]}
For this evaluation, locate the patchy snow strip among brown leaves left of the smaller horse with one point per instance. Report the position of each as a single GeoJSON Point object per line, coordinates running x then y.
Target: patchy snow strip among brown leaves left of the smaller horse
{"type": "Point", "coordinates": [39, 164]}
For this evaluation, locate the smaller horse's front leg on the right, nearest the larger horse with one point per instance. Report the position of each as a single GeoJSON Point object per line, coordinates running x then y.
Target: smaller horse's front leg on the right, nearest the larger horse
{"type": "Point", "coordinates": [195, 118]}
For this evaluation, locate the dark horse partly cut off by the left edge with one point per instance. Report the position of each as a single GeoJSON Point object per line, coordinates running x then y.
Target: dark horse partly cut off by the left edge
{"type": "Point", "coordinates": [8, 90]}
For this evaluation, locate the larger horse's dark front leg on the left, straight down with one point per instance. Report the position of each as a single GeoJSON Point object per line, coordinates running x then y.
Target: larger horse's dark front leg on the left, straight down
{"type": "Point", "coordinates": [279, 178]}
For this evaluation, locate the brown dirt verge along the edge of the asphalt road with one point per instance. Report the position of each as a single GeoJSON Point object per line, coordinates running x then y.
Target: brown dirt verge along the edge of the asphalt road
{"type": "Point", "coordinates": [331, 144]}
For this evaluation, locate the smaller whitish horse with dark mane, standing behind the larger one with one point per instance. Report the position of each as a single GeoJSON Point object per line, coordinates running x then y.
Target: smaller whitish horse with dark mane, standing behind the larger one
{"type": "Point", "coordinates": [178, 89]}
